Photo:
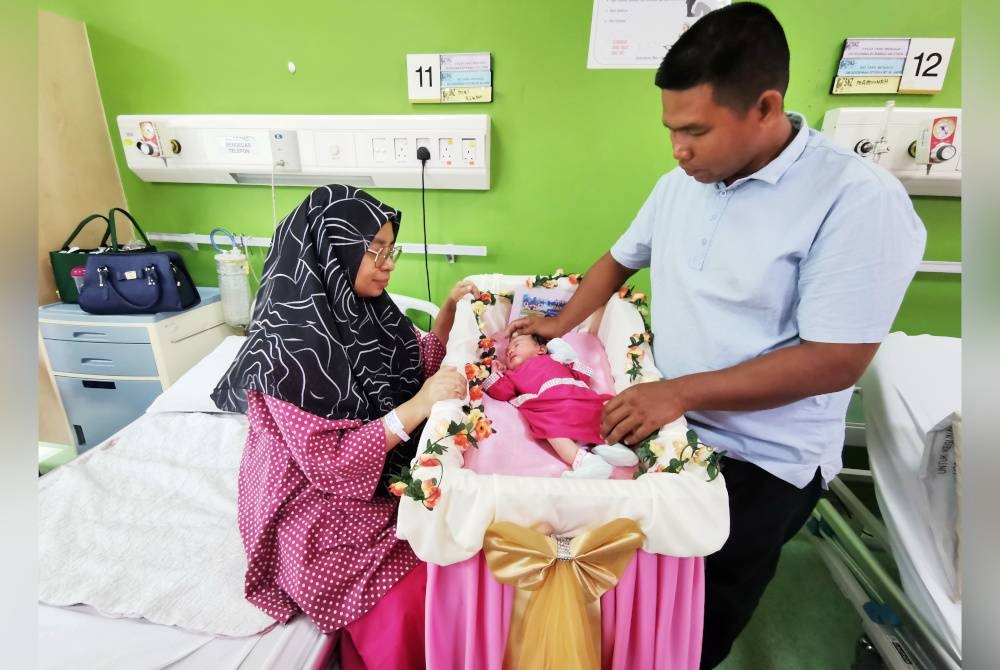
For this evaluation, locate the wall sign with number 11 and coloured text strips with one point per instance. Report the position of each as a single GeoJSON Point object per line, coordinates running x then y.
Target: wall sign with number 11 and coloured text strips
{"type": "Point", "coordinates": [466, 77]}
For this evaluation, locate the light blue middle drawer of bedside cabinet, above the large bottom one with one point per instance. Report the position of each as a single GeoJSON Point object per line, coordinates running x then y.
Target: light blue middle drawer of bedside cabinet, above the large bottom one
{"type": "Point", "coordinates": [101, 358]}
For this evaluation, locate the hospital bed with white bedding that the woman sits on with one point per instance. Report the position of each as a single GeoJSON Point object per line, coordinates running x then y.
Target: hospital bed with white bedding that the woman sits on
{"type": "Point", "coordinates": [112, 520]}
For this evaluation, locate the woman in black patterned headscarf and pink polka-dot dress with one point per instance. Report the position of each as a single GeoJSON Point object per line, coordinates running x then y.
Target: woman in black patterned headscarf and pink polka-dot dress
{"type": "Point", "coordinates": [334, 379]}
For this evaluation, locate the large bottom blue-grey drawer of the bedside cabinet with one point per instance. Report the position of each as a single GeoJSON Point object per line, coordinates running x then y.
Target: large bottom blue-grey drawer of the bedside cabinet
{"type": "Point", "coordinates": [97, 409]}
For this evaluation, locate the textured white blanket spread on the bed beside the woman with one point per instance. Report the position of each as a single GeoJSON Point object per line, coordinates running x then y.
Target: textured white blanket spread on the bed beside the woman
{"type": "Point", "coordinates": [144, 526]}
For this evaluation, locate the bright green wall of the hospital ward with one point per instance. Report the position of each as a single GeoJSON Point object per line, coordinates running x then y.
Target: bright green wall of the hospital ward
{"type": "Point", "coordinates": [574, 151]}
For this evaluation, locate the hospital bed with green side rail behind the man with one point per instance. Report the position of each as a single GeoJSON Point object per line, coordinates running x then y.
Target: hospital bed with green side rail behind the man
{"type": "Point", "coordinates": [900, 569]}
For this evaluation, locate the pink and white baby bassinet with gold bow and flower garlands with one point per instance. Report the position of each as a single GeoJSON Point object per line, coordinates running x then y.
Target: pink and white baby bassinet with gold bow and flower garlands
{"type": "Point", "coordinates": [484, 506]}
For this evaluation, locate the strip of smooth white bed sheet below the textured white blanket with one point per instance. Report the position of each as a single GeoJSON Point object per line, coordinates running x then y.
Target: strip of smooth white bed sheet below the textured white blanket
{"type": "Point", "coordinates": [79, 637]}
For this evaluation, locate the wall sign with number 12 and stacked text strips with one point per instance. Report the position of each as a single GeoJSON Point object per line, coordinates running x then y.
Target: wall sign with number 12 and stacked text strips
{"type": "Point", "coordinates": [893, 65]}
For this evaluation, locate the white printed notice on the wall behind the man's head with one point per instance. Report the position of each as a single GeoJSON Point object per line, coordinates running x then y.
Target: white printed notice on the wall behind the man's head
{"type": "Point", "coordinates": [636, 34]}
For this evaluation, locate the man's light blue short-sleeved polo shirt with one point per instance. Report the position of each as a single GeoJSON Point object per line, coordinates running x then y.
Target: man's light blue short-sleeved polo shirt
{"type": "Point", "coordinates": [817, 245]}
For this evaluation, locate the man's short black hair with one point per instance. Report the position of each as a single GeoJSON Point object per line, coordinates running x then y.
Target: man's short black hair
{"type": "Point", "coordinates": [740, 50]}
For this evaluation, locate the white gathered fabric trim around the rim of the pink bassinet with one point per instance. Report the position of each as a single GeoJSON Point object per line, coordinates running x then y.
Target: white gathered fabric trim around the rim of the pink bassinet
{"type": "Point", "coordinates": [681, 514]}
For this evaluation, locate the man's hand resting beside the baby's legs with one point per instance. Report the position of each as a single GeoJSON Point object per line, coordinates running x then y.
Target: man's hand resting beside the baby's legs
{"type": "Point", "coordinates": [637, 411]}
